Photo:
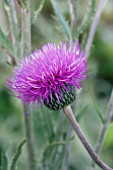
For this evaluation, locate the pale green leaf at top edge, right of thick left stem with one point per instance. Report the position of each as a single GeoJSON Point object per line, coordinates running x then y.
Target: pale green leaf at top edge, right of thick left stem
{"type": "Point", "coordinates": [37, 12]}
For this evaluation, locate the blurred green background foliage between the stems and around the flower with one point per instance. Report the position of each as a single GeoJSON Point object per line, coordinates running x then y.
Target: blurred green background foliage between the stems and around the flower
{"type": "Point", "coordinates": [48, 125]}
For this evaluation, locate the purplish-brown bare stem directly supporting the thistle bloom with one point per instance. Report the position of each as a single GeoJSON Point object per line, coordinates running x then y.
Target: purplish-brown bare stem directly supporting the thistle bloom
{"type": "Point", "coordinates": [80, 134]}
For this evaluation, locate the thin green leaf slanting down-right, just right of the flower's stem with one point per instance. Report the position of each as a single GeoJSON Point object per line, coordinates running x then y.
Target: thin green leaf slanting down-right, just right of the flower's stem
{"type": "Point", "coordinates": [95, 104]}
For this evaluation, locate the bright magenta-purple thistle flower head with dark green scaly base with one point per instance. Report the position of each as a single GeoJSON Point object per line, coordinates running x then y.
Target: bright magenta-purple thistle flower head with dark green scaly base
{"type": "Point", "coordinates": [50, 75]}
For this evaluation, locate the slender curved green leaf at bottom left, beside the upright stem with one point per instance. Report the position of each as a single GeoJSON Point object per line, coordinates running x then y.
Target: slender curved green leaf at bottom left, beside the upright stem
{"type": "Point", "coordinates": [17, 155]}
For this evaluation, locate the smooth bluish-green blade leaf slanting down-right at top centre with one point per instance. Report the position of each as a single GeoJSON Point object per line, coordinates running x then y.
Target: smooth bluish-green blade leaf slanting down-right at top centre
{"type": "Point", "coordinates": [61, 19]}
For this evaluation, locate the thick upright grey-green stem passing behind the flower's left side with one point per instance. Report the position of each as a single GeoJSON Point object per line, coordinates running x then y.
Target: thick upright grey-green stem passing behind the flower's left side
{"type": "Point", "coordinates": [26, 41]}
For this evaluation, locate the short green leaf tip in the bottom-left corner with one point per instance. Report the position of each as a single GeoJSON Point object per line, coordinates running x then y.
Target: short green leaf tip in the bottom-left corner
{"type": "Point", "coordinates": [3, 160]}
